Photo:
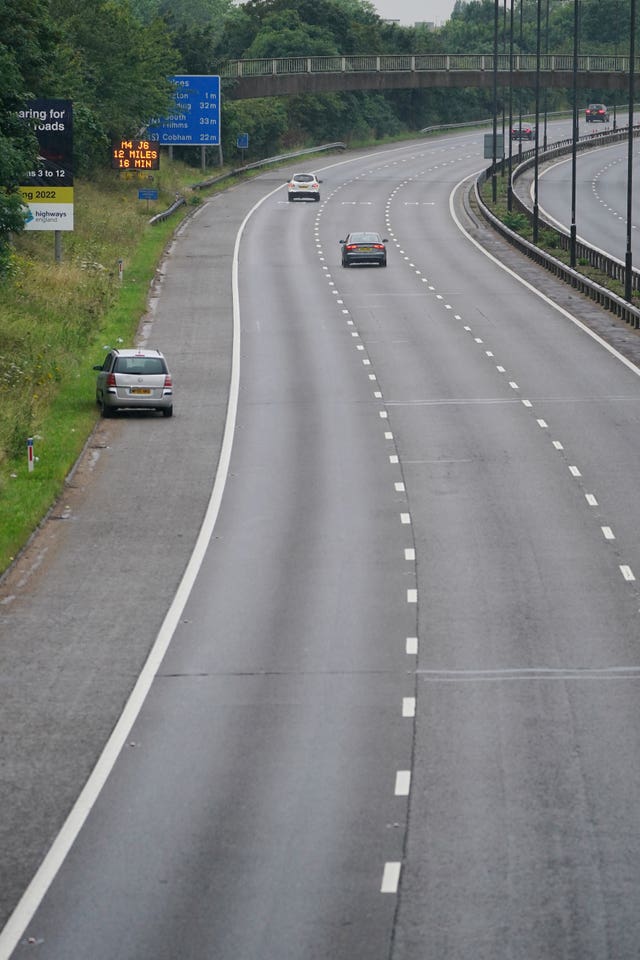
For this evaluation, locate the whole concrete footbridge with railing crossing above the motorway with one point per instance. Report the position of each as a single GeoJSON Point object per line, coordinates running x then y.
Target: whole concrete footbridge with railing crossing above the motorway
{"type": "Point", "coordinates": [288, 76]}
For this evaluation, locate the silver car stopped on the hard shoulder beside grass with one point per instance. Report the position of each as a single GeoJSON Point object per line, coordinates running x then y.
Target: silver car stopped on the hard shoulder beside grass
{"type": "Point", "coordinates": [134, 379]}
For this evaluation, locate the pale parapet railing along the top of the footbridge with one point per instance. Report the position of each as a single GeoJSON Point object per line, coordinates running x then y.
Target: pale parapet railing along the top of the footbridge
{"type": "Point", "coordinates": [389, 63]}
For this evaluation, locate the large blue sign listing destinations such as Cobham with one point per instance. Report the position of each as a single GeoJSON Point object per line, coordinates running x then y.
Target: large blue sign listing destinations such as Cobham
{"type": "Point", "coordinates": [196, 121]}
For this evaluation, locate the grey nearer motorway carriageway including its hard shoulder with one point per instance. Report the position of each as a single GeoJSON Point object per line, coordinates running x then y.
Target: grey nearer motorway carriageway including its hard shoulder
{"type": "Point", "coordinates": [395, 712]}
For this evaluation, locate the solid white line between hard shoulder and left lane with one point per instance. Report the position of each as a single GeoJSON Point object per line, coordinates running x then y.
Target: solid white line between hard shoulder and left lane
{"type": "Point", "coordinates": [44, 876]}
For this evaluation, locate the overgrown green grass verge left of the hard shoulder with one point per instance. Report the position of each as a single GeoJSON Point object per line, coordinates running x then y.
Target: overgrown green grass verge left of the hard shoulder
{"type": "Point", "coordinates": [54, 320]}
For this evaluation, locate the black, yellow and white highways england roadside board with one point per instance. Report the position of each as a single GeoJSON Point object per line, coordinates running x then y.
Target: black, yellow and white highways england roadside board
{"type": "Point", "coordinates": [47, 190]}
